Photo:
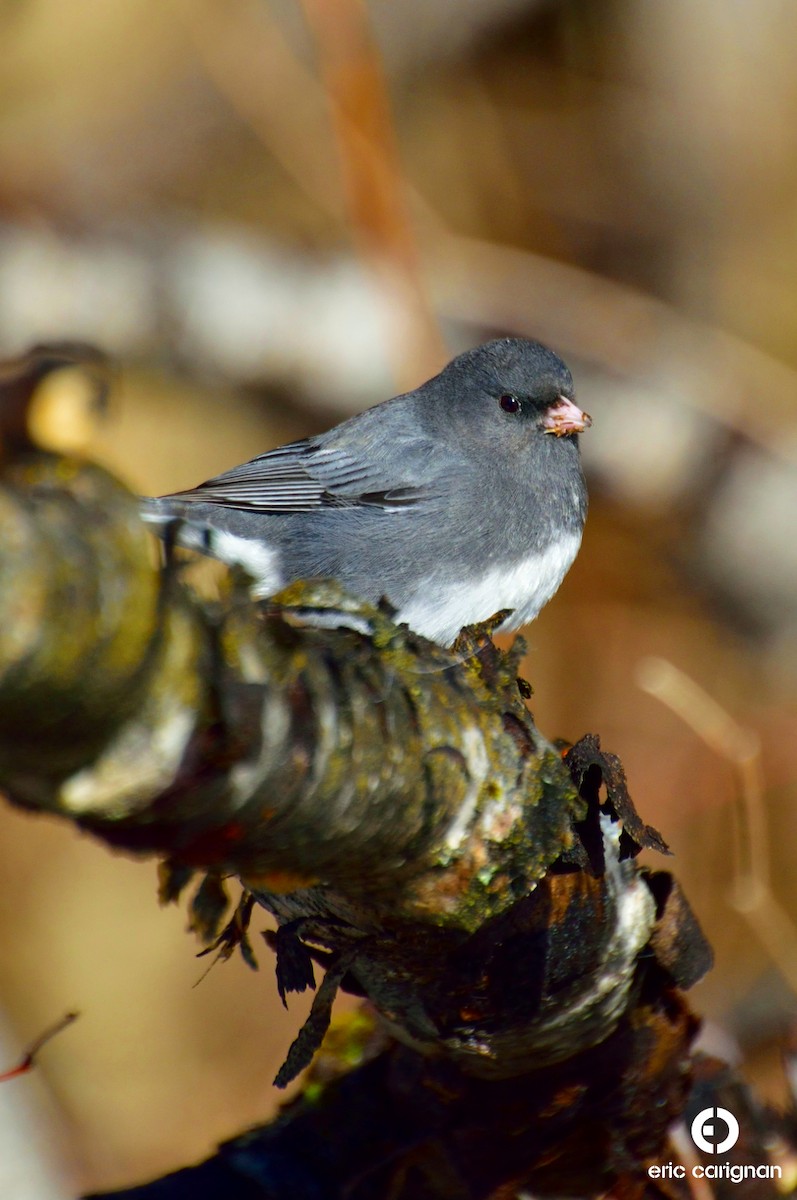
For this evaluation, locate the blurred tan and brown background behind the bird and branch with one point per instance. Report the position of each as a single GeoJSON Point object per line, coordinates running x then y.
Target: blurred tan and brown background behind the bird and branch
{"type": "Point", "coordinates": [273, 214]}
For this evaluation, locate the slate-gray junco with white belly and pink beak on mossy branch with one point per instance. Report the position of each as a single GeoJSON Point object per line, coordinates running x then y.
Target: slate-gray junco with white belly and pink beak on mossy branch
{"type": "Point", "coordinates": [454, 501]}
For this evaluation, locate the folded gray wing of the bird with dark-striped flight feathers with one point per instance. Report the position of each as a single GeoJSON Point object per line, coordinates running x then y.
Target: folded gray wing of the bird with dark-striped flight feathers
{"type": "Point", "coordinates": [317, 473]}
